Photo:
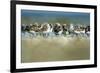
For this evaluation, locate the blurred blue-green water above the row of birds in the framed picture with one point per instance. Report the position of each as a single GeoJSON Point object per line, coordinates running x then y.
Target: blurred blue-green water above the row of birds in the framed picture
{"type": "Point", "coordinates": [31, 16]}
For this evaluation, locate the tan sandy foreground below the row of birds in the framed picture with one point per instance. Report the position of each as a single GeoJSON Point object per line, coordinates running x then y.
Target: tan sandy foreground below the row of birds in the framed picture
{"type": "Point", "coordinates": [54, 49]}
